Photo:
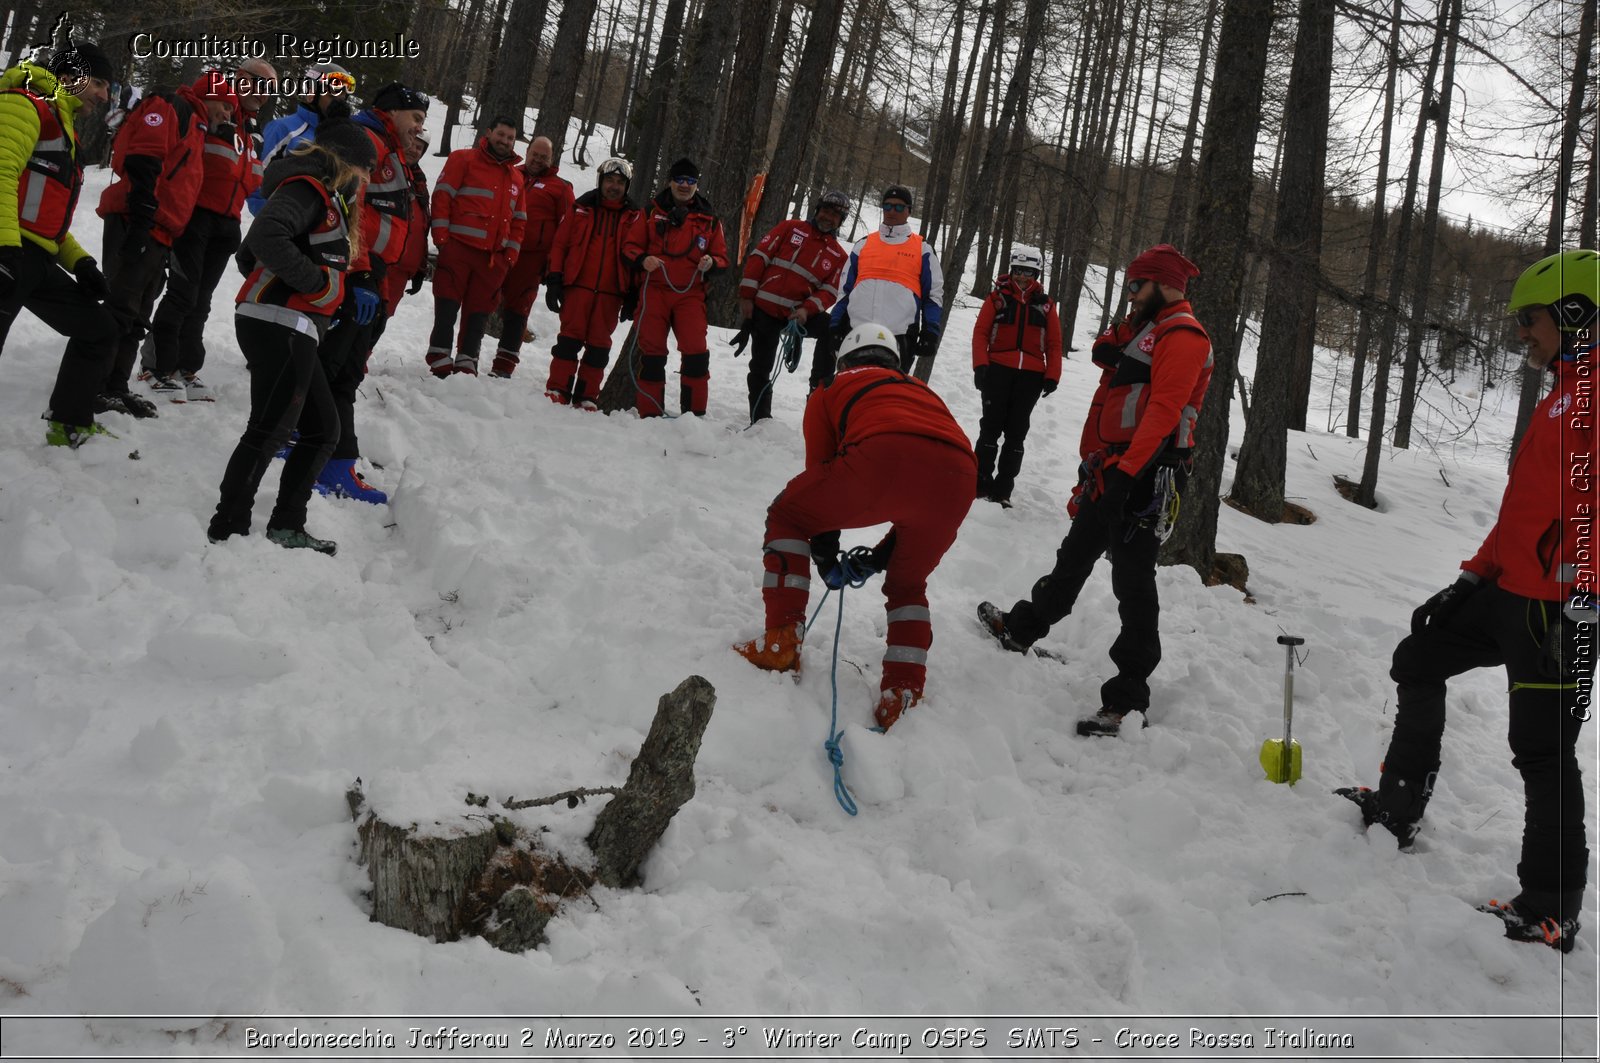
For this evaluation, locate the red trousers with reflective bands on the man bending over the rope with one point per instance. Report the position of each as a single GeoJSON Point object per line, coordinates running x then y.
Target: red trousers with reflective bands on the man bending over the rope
{"type": "Point", "coordinates": [921, 486]}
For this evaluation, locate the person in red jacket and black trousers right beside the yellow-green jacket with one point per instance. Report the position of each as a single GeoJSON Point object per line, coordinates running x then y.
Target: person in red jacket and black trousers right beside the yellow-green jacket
{"type": "Point", "coordinates": [158, 158]}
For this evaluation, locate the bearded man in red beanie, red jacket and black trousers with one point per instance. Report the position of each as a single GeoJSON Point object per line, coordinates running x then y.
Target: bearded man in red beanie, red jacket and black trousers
{"type": "Point", "coordinates": [1137, 457]}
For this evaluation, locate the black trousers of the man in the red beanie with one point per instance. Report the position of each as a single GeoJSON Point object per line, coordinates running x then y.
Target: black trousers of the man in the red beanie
{"type": "Point", "coordinates": [1134, 548]}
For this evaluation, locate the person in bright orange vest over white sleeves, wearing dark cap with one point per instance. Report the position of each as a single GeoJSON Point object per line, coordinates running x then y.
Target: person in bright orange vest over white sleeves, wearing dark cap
{"type": "Point", "coordinates": [895, 279]}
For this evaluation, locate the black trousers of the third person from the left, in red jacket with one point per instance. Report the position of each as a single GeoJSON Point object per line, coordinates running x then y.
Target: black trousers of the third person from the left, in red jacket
{"type": "Point", "coordinates": [198, 263]}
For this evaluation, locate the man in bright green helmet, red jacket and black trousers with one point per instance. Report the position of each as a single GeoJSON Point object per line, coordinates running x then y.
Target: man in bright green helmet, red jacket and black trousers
{"type": "Point", "coordinates": [1524, 601]}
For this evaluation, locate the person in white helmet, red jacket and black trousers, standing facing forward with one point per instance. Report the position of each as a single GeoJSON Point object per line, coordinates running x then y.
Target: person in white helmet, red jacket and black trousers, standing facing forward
{"type": "Point", "coordinates": [1017, 358]}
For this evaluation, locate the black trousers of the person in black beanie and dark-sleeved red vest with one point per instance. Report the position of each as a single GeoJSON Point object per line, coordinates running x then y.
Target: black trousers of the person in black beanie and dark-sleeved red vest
{"type": "Point", "coordinates": [289, 391]}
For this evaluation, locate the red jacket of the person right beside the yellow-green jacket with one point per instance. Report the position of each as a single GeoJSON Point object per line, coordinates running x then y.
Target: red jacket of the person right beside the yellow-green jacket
{"type": "Point", "coordinates": [170, 130]}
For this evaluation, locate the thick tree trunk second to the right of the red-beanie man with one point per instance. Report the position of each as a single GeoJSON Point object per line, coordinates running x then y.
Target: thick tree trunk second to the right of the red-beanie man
{"type": "Point", "coordinates": [1289, 321]}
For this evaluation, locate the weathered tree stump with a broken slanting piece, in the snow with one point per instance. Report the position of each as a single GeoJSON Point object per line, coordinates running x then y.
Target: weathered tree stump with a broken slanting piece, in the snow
{"type": "Point", "coordinates": [486, 876]}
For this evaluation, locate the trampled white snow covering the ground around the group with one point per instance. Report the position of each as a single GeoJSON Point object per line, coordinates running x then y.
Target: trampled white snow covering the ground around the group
{"type": "Point", "coordinates": [180, 723]}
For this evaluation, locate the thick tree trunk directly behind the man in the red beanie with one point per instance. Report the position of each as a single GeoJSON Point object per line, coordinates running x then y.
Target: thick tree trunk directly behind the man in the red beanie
{"type": "Point", "coordinates": [1218, 246]}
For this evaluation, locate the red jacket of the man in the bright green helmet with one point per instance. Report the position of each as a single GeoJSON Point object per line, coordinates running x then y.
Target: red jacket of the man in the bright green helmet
{"type": "Point", "coordinates": [1542, 545]}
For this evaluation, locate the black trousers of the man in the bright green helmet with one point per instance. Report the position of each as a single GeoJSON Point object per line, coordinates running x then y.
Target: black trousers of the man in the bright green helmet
{"type": "Point", "coordinates": [1495, 627]}
